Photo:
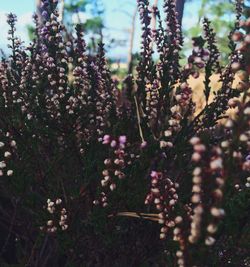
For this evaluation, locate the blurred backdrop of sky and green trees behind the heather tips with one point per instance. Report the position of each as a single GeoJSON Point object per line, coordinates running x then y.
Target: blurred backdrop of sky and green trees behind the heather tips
{"type": "Point", "coordinates": [117, 22]}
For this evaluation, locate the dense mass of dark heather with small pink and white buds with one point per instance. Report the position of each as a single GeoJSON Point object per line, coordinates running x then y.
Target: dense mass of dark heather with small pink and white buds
{"type": "Point", "coordinates": [96, 176]}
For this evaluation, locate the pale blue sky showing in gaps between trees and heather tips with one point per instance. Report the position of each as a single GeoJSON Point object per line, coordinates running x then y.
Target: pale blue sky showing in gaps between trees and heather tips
{"type": "Point", "coordinates": [116, 21]}
